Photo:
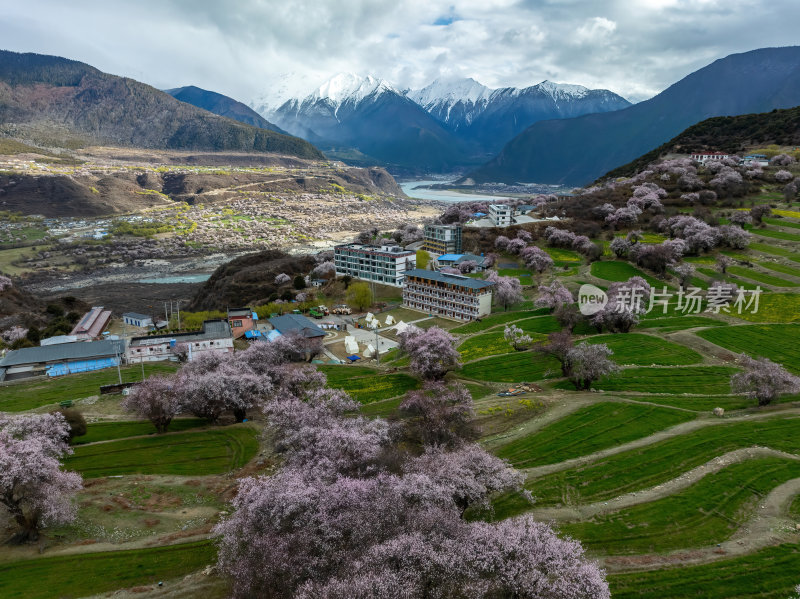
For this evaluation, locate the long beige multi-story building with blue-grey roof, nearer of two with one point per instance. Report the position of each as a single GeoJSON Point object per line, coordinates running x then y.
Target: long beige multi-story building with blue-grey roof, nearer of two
{"type": "Point", "coordinates": [446, 295]}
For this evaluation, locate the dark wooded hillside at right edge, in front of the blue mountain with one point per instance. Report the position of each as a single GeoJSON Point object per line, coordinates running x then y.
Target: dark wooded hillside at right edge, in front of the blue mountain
{"type": "Point", "coordinates": [725, 134]}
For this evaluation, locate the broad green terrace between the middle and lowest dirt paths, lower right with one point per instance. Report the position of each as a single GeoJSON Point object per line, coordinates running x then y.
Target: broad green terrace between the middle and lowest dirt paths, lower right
{"type": "Point", "coordinates": [705, 513]}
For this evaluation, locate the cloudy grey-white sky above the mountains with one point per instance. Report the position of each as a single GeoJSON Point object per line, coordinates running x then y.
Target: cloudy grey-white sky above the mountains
{"type": "Point", "coordinates": [246, 48]}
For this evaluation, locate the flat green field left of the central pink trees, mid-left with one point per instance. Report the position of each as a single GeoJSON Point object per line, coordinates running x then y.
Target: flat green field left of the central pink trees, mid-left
{"type": "Point", "coordinates": [185, 453]}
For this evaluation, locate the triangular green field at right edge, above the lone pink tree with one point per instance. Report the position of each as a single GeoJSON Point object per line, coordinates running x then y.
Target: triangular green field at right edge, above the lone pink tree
{"type": "Point", "coordinates": [778, 342]}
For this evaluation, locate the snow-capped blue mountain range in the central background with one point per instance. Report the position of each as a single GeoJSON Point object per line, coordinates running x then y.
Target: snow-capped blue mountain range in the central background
{"type": "Point", "coordinates": [451, 122]}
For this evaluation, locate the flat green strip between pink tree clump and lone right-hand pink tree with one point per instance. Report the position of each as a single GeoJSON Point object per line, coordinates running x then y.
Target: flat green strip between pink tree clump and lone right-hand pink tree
{"type": "Point", "coordinates": [702, 380]}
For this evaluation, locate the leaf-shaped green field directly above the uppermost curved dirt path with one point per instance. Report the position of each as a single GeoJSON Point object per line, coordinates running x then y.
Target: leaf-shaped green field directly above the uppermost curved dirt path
{"type": "Point", "coordinates": [589, 430]}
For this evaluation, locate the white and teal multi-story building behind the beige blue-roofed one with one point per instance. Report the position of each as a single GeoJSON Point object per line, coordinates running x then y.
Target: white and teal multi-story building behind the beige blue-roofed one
{"type": "Point", "coordinates": [386, 264]}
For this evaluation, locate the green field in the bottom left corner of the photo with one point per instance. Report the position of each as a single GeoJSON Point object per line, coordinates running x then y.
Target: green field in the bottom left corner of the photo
{"type": "Point", "coordinates": [81, 575]}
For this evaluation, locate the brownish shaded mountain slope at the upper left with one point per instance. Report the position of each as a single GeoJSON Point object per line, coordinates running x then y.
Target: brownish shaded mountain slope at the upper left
{"type": "Point", "coordinates": [55, 101]}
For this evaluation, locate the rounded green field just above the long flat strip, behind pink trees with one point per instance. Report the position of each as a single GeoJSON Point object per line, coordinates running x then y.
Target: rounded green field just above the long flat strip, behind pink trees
{"type": "Point", "coordinates": [635, 348]}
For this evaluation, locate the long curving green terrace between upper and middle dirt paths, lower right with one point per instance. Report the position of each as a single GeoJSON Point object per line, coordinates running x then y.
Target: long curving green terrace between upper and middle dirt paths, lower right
{"type": "Point", "coordinates": [654, 464]}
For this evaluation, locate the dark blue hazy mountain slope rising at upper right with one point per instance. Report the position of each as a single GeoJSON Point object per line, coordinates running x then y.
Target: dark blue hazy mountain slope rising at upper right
{"type": "Point", "coordinates": [576, 151]}
